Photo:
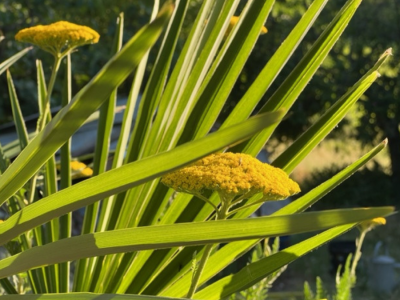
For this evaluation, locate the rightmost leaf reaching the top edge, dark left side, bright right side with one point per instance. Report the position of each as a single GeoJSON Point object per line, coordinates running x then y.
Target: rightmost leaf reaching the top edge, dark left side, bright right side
{"type": "Point", "coordinates": [294, 84]}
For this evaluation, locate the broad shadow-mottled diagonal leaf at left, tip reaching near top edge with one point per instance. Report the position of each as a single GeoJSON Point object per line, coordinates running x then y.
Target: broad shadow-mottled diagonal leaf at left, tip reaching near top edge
{"type": "Point", "coordinates": [70, 118]}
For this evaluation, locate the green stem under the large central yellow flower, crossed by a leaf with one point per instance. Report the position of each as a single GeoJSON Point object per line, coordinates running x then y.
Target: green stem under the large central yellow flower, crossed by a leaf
{"type": "Point", "coordinates": [221, 214]}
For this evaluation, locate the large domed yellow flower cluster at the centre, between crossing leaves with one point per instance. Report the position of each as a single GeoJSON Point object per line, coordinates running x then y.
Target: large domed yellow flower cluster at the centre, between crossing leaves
{"type": "Point", "coordinates": [233, 174]}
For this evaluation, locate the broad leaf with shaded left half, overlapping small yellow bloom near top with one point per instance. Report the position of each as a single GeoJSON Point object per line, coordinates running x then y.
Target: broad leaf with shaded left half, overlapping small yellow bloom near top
{"type": "Point", "coordinates": [225, 71]}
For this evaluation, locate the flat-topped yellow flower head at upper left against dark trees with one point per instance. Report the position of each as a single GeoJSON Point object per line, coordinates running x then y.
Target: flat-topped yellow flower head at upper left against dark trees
{"type": "Point", "coordinates": [58, 38]}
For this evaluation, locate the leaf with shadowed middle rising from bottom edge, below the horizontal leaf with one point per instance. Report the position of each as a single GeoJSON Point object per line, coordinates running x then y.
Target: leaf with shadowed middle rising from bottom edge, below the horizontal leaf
{"type": "Point", "coordinates": [262, 268]}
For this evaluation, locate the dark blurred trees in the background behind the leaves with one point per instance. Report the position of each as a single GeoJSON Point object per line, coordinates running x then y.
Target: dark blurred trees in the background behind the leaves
{"type": "Point", "coordinates": [375, 27]}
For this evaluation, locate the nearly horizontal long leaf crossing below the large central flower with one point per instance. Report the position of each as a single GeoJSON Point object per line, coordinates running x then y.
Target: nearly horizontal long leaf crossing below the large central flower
{"type": "Point", "coordinates": [184, 234]}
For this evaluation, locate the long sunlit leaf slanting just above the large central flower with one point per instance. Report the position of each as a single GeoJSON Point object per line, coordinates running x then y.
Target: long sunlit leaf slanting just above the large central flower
{"type": "Point", "coordinates": [128, 176]}
